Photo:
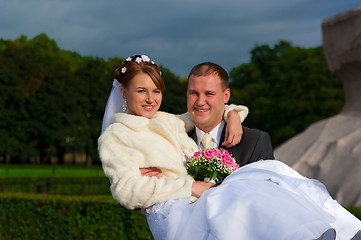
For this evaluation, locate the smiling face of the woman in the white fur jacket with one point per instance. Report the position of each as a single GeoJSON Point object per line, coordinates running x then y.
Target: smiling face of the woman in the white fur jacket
{"type": "Point", "coordinates": [142, 95]}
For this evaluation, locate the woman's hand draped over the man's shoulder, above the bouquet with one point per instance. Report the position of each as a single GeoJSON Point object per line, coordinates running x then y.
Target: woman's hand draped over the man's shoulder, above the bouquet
{"type": "Point", "coordinates": [234, 130]}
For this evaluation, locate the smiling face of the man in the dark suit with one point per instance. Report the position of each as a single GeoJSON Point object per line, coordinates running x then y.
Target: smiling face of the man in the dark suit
{"type": "Point", "coordinates": [205, 100]}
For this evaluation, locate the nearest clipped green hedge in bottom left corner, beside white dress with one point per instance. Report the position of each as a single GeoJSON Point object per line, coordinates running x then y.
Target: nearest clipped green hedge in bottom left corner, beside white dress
{"type": "Point", "coordinates": [31, 216]}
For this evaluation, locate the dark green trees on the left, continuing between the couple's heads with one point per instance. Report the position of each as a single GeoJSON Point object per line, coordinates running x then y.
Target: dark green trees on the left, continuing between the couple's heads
{"type": "Point", "coordinates": [52, 101]}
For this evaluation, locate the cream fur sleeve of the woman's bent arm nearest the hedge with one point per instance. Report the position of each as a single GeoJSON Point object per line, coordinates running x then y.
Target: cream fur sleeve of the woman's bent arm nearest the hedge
{"type": "Point", "coordinates": [128, 186]}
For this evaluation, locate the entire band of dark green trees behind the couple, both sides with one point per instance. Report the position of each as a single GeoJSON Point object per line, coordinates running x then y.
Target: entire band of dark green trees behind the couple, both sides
{"type": "Point", "coordinates": [52, 100]}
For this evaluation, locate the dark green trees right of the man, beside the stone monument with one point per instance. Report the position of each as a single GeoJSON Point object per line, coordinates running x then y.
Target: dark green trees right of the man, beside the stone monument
{"type": "Point", "coordinates": [286, 89]}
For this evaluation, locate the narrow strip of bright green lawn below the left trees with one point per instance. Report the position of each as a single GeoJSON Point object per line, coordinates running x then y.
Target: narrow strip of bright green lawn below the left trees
{"type": "Point", "coordinates": [49, 170]}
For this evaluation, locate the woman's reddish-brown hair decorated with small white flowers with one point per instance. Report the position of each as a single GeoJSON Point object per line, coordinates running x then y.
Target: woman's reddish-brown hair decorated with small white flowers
{"type": "Point", "coordinates": [139, 64]}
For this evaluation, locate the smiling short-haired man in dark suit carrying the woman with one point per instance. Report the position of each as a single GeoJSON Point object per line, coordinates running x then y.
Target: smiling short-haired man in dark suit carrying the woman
{"type": "Point", "coordinates": [207, 95]}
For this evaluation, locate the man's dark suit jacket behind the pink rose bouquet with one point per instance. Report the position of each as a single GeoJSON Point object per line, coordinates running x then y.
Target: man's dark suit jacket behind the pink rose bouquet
{"type": "Point", "coordinates": [254, 145]}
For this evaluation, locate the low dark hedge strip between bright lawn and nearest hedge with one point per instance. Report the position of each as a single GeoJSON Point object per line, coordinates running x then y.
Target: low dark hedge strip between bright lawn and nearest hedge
{"type": "Point", "coordinates": [56, 185]}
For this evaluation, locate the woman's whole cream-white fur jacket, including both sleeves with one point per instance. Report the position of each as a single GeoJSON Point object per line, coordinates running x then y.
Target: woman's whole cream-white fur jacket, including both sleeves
{"type": "Point", "coordinates": [134, 142]}
